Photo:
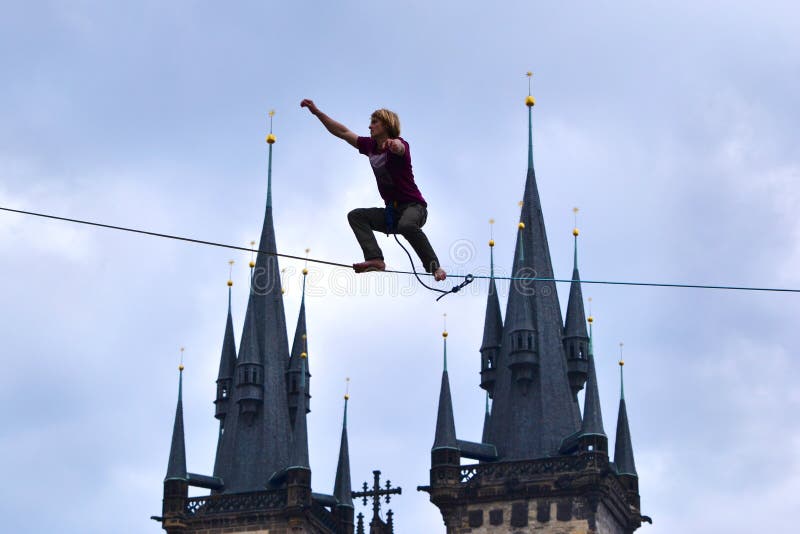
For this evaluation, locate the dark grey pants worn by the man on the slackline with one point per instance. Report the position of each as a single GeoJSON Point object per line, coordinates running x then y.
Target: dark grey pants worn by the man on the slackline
{"type": "Point", "coordinates": [409, 220]}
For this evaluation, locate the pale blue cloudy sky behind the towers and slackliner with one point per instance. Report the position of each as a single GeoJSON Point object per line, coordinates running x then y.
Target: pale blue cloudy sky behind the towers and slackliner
{"type": "Point", "coordinates": [672, 125]}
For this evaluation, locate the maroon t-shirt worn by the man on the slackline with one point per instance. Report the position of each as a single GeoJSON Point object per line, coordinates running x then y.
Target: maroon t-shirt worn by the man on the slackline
{"type": "Point", "coordinates": [392, 172]}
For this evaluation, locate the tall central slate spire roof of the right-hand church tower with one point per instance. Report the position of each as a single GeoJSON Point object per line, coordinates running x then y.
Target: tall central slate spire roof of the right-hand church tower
{"type": "Point", "coordinates": [533, 425]}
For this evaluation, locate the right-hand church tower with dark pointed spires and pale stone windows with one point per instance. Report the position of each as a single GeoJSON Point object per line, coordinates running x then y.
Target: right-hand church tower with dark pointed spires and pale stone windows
{"type": "Point", "coordinates": [541, 465]}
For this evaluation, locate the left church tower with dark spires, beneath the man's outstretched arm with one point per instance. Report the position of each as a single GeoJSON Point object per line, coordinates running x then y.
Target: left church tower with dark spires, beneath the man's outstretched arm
{"type": "Point", "coordinates": [261, 481]}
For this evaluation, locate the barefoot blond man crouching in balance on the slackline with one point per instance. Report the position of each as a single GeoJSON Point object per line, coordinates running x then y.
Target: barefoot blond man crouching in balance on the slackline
{"type": "Point", "coordinates": [406, 211]}
